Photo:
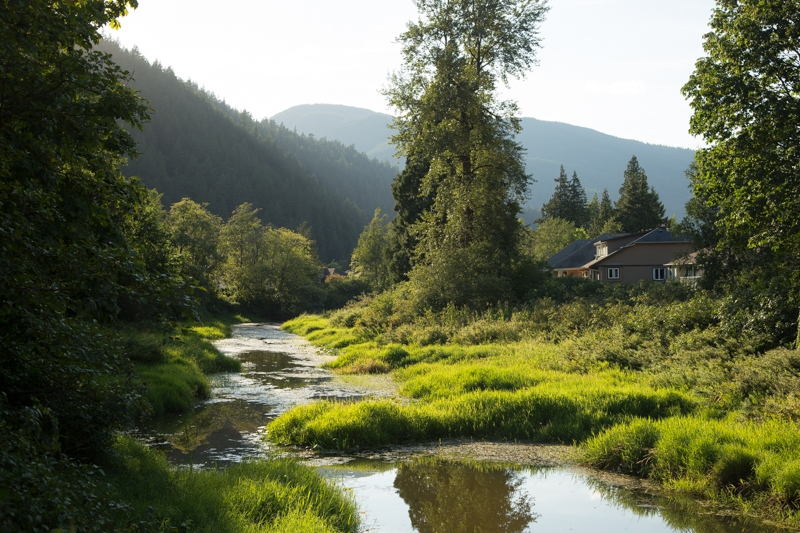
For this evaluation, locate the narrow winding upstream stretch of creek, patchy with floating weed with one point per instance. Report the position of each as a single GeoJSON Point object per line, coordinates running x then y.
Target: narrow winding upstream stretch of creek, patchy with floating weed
{"type": "Point", "coordinates": [279, 370]}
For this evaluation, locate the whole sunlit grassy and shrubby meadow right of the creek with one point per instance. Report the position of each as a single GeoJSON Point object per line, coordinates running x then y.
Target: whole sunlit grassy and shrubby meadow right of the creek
{"type": "Point", "coordinates": [649, 381]}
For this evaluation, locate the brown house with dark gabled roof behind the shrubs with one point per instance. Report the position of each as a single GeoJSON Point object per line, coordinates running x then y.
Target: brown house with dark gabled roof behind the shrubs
{"type": "Point", "coordinates": [624, 258]}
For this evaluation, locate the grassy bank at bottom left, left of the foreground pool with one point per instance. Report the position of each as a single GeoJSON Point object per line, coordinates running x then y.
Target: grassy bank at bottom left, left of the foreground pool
{"type": "Point", "coordinates": [271, 496]}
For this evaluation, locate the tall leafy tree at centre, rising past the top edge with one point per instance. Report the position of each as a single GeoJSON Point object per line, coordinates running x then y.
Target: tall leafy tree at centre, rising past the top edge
{"type": "Point", "coordinates": [454, 57]}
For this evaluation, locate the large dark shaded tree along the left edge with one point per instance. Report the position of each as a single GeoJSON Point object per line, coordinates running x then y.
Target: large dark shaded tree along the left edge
{"type": "Point", "coordinates": [65, 259]}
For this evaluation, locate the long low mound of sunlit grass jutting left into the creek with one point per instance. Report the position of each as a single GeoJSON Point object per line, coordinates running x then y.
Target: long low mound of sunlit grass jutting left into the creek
{"type": "Point", "coordinates": [552, 413]}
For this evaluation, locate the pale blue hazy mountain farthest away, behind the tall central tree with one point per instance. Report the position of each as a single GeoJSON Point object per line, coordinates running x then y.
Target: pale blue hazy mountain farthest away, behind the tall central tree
{"type": "Point", "coordinates": [599, 159]}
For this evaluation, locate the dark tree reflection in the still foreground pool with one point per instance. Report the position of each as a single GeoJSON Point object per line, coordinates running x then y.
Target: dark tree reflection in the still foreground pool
{"type": "Point", "coordinates": [457, 498]}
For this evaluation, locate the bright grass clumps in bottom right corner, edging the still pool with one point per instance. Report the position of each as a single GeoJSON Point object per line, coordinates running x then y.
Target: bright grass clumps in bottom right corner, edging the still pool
{"type": "Point", "coordinates": [752, 464]}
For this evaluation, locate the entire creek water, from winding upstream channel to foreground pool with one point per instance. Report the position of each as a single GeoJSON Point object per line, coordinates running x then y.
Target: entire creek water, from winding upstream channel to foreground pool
{"type": "Point", "coordinates": [413, 489]}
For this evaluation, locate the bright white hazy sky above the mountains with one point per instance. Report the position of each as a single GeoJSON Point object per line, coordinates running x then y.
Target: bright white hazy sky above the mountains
{"type": "Point", "coordinates": [616, 66]}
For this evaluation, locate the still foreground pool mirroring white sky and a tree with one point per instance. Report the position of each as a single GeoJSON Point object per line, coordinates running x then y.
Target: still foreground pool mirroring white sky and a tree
{"type": "Point", "coordinates": [446, 496]}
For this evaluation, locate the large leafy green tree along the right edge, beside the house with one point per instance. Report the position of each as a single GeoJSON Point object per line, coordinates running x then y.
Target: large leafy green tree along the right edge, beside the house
{"type": "Point", "coordinates": [744, 94]}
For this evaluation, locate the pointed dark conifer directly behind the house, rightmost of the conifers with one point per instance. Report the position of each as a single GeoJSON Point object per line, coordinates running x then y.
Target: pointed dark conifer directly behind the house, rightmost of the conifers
{"type": "Point", "coordinates": [638, 207]}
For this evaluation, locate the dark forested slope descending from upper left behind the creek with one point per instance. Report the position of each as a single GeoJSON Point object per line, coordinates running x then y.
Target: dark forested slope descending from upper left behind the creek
{"type": "Point", "coordinates": [196, 146]}
